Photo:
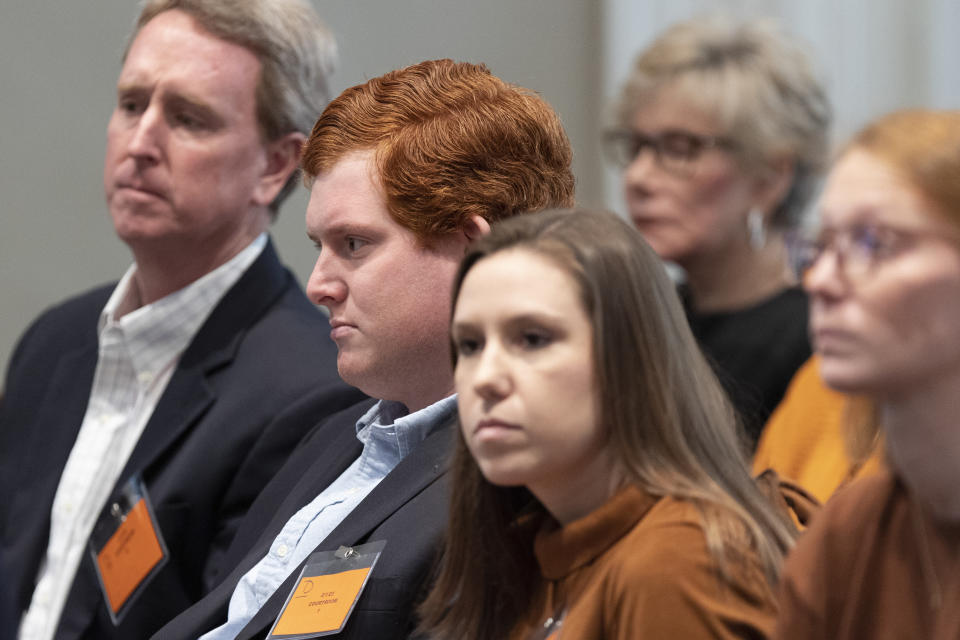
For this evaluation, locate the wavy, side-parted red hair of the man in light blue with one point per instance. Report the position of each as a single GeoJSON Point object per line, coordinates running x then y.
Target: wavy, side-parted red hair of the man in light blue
{"type": "Point", "coordinates": [450, 141]}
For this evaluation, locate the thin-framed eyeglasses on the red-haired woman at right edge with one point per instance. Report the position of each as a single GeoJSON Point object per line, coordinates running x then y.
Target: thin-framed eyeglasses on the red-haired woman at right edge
{"type": "Point", "coordinates": [859, 248]}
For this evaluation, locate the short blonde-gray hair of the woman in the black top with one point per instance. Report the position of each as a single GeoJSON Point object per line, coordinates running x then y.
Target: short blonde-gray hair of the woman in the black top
{"type": "Point", "coordinates": [757, 82]}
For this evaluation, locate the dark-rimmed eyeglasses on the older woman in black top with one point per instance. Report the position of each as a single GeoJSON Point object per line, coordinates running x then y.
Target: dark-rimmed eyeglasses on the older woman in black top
{"type": "Point", "coordinates": [675, 150]}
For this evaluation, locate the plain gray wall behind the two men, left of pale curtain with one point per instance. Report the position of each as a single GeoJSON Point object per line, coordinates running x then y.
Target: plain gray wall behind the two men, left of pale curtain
{"type": "Point", "coordinates": [58, 67]}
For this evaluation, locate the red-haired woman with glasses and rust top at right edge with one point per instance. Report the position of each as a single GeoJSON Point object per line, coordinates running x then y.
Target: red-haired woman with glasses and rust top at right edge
{"type": "Point", "coordinates": [882, 560]}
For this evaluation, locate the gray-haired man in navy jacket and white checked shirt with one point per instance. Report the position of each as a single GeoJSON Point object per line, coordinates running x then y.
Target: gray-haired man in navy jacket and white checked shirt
{"type": "Point", "coordinates": [134, 428]}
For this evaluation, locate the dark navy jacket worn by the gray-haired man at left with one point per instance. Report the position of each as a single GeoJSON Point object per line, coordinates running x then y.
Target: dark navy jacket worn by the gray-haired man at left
{"type": "Point", "coordinates": [205, 452]}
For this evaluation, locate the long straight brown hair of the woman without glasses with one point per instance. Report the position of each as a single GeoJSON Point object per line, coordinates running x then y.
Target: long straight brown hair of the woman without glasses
{"type": "Point", "coordinates": [671, 429]}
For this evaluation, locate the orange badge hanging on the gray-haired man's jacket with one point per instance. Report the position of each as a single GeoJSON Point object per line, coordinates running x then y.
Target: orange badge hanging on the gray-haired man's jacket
{"type": "Point", "coordinates": [127, 547]}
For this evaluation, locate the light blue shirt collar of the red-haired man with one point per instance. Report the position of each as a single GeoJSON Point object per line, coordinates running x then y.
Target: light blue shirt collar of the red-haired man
{"type": "Point", "coordinates": [389, 420]}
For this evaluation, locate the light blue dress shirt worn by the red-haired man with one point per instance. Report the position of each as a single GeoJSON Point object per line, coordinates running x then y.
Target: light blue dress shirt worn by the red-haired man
{"type": "Point", "coordinates": [388, 434]}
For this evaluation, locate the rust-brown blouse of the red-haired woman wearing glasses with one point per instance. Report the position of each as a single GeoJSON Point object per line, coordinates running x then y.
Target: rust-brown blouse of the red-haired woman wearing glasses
{"type": "Point", "coordinates": [872, 565]}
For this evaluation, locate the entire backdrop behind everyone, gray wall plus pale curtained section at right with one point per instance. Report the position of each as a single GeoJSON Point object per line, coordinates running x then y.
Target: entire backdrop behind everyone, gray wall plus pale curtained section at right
{"type": "Point", "coordinates": [59, 61]}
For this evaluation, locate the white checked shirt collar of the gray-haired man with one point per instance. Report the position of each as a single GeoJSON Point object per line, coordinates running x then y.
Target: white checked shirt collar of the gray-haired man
{"type": "Point", "coordinates": [167, 325]}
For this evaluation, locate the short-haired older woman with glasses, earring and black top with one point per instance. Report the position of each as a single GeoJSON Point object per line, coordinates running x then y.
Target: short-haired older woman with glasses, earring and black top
{"type": "Point", "coordinates": [722, 131]}
